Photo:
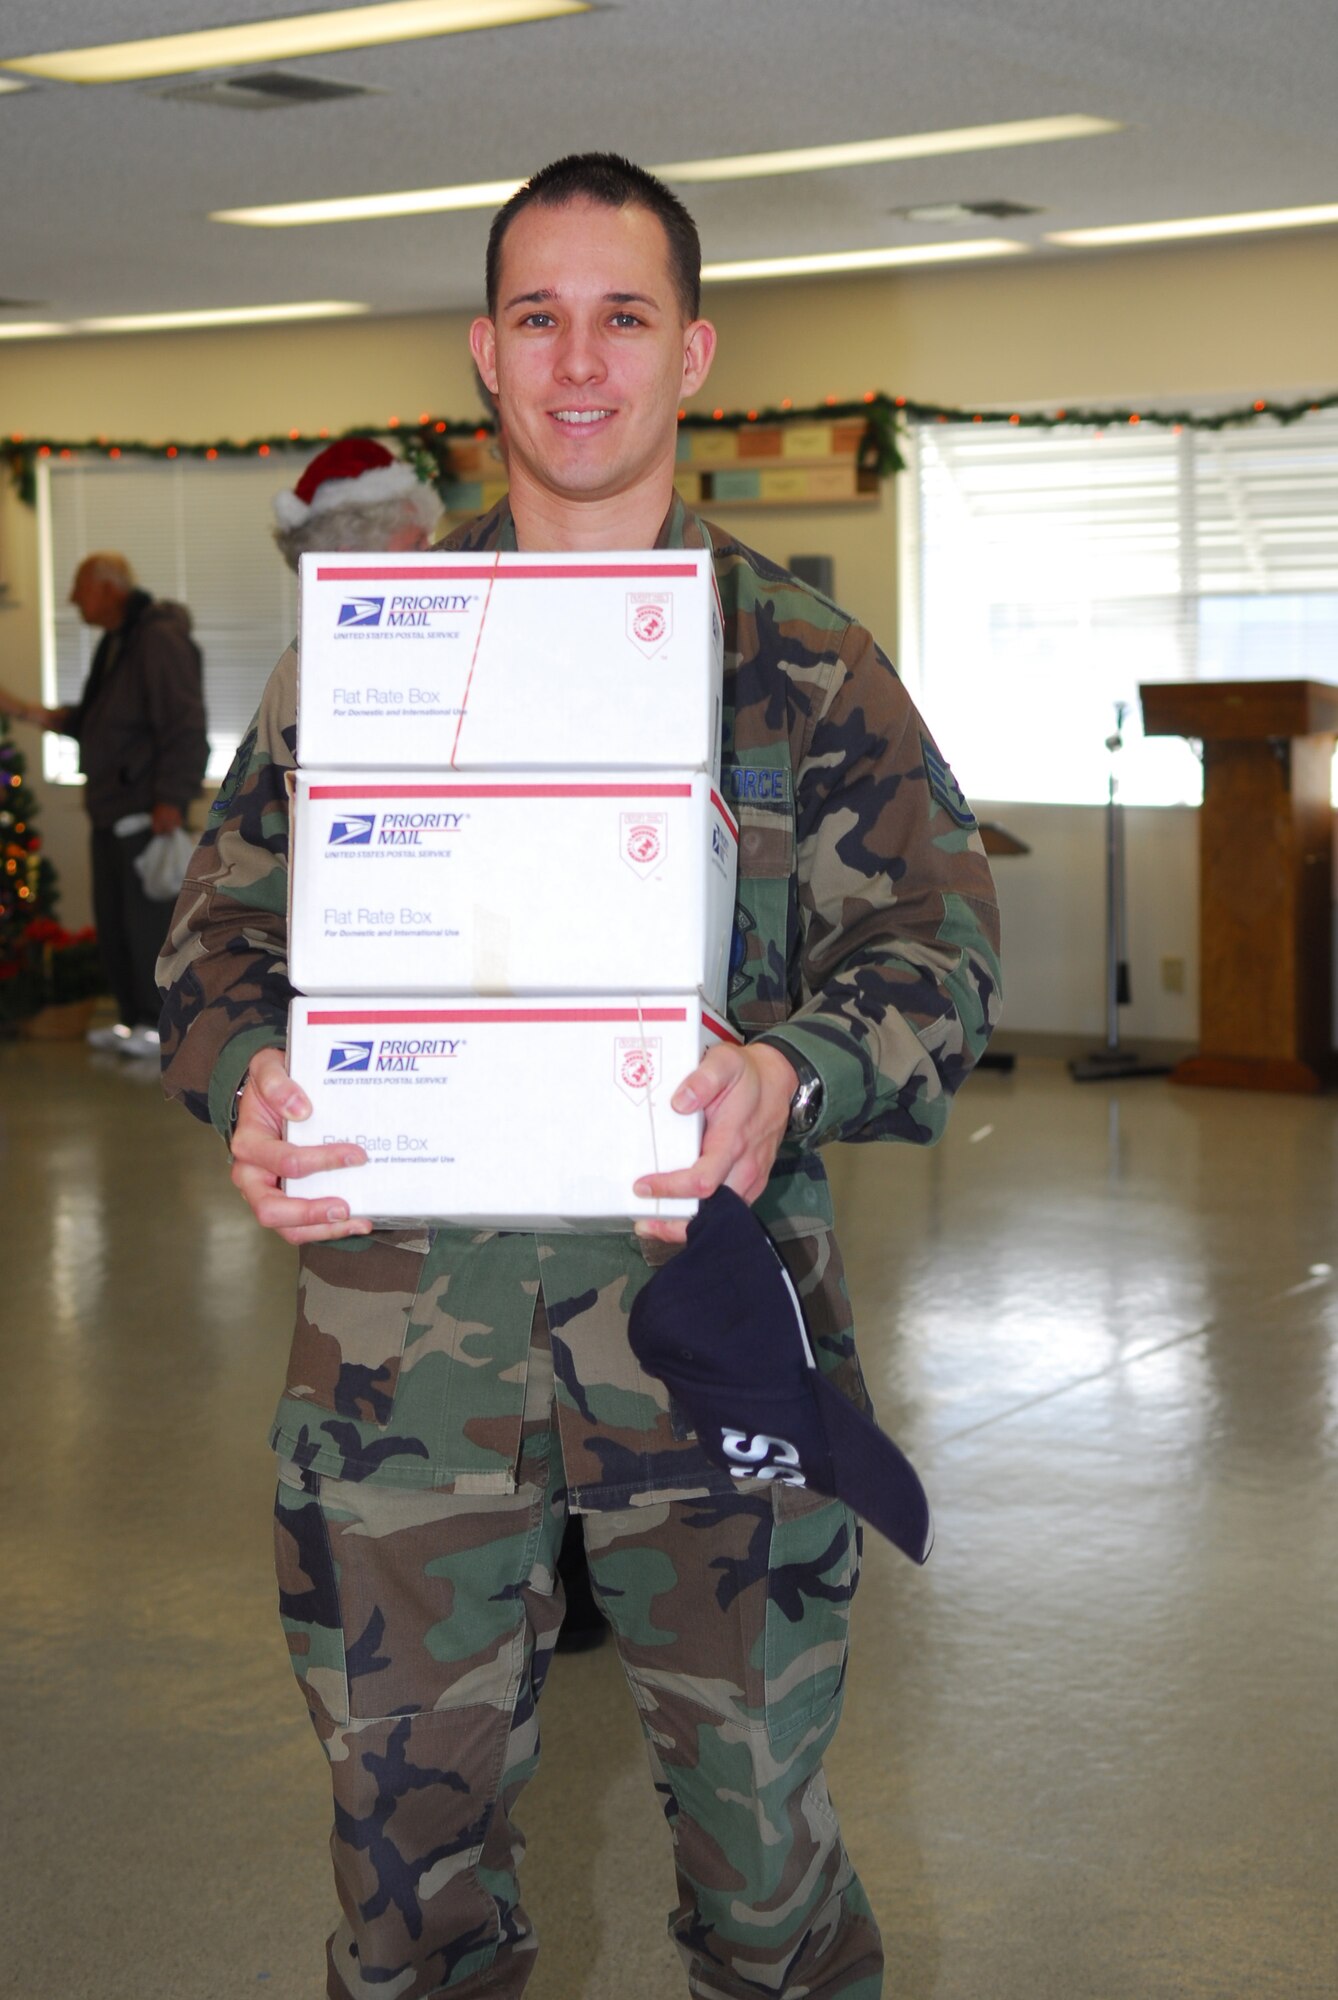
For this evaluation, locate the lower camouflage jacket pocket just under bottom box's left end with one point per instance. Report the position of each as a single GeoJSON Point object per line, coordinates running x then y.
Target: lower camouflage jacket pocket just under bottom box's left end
{"type": "Point", "coordinates": [355, 1303]}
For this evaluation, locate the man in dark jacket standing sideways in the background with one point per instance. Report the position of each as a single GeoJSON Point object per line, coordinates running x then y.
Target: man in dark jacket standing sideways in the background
{"type": "Point", "coordinates": [143, 751]}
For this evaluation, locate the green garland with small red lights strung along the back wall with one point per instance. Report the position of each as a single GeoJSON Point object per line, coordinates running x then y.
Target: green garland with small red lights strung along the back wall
{"type": "Point", "coordinates": [427, 443]}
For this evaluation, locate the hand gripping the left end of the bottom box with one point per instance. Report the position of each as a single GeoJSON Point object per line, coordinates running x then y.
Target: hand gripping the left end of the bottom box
{"type": "Point", "coordinates": [263, 1159]}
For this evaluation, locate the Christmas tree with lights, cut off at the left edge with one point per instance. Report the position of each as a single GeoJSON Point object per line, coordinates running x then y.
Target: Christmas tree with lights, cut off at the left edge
{"type": "Point", "coordinates": [41, 963]}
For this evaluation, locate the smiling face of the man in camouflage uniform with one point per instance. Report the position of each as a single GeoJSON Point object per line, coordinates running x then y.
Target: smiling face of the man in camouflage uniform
{"type": "Point", "coordinates": [589, 353]}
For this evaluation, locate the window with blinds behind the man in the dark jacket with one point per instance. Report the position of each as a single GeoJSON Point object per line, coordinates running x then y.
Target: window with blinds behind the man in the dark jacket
{"type": "Point", "coordinates": [197, 531]}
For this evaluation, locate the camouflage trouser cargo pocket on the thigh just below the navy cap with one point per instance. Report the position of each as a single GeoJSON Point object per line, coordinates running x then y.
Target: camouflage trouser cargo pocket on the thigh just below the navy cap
{"type": "Point", "coordinates": [811, 1583]}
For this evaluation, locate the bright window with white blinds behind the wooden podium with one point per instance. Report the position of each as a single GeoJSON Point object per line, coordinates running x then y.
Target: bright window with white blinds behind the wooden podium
{"type": "Point", "coordinates": [1055, 571]}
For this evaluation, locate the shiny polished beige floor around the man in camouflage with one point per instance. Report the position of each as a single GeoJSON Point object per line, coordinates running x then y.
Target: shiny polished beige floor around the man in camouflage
{"type": "Point", "coordinates": [1091, 1753]}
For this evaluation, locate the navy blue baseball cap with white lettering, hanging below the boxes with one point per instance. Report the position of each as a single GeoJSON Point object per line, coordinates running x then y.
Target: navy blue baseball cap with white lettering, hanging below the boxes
{"type": "Point", "coordinates": [721, 1325]}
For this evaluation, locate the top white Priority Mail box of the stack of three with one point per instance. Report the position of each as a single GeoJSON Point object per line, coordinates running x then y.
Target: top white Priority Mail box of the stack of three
{"type": "Point", "coordinates": [511, 663]}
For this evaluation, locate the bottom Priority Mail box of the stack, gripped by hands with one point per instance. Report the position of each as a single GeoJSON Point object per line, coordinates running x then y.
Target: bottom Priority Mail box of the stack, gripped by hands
{"type": "Point", "coordinates": [495, 1113]}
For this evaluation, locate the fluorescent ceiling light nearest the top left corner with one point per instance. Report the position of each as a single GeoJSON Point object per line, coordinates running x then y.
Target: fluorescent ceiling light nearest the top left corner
{"type": "Point", "coordinates": [277, 41]}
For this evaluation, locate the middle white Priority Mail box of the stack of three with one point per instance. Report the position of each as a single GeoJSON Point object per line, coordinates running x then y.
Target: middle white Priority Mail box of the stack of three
{"type": "Point", "coordinates": [511, 885]}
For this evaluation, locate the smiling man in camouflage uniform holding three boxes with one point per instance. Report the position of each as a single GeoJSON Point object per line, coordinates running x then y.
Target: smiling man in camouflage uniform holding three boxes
{"type": "Point", "coordinates": [451, 1395]}
